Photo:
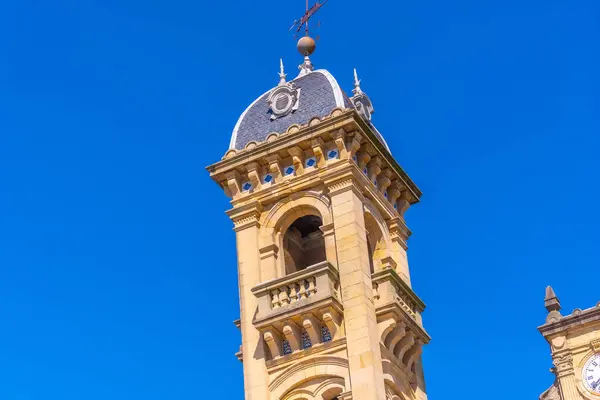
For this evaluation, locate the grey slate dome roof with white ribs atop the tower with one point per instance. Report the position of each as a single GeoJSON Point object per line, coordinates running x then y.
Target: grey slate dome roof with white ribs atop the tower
{"type": "Point", "coordinates": [314, 94]}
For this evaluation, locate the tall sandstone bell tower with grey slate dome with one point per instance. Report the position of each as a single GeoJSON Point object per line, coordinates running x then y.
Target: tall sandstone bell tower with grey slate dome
{"type": "Point", "coordinates": [327, 310]}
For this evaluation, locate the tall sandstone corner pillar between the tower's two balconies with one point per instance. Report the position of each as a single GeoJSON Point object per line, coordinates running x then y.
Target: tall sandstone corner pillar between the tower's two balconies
{"type": "Point", "coordinates": [364, 355]}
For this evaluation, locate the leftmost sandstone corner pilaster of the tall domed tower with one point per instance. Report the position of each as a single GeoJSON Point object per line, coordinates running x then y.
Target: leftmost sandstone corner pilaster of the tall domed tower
{"type": "Point", "coordinates": [253, 346]}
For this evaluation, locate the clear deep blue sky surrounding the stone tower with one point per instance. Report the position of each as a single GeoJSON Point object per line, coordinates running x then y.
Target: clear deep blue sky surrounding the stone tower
{"type": "Point", "coordinates": [113, 237]}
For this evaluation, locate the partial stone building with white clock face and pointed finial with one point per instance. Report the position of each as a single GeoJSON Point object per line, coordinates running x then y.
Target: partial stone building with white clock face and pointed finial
{"type": "Point", "coordinates": [575, 345]}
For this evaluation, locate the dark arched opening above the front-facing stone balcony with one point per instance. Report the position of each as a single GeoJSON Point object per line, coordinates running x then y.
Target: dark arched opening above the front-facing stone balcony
{"type": "Point", "coordinates": [303, 244]}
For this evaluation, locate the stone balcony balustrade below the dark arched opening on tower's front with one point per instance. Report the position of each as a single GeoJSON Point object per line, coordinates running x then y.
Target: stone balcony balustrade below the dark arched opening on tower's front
{"type": "Point", "coordinates": [313, 286]}
